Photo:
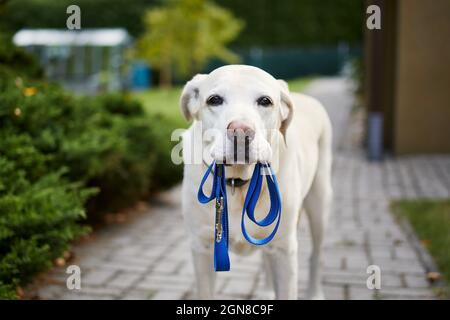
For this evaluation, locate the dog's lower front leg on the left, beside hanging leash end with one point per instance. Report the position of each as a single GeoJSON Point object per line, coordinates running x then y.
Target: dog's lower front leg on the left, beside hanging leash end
{"type": "Point", "coordinates": [204, 272]}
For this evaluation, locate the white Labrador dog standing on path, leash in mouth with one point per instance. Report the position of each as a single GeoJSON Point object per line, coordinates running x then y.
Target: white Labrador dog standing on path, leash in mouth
{"type": "Point", "coordinates": [290, 130]}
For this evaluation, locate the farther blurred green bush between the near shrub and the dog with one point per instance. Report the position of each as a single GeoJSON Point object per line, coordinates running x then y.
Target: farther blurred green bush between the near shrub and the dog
{"type": "Point", "coordinates": [107, 142]}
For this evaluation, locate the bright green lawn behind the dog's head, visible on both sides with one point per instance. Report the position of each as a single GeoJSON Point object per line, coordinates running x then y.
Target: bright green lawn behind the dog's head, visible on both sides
{"type": "Point", "coordinates": [165, 101]}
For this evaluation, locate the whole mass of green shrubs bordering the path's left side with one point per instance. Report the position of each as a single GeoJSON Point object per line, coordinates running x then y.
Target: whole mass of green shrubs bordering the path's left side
{"type": "Point", "coordinates": [64, 158]}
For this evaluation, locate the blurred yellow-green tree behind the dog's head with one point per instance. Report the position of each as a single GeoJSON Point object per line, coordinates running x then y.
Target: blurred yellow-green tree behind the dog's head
{"type": "Point", "coordinates": [184, 35]}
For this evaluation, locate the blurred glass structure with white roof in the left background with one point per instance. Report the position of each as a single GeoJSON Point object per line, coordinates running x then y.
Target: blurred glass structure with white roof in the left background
{"type": "Point", "coordinates": [87, 60]}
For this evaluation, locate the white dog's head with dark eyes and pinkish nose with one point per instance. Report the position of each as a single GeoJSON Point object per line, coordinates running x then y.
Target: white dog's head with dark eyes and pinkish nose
{"type": "Point", "coordinates": [244, 110]}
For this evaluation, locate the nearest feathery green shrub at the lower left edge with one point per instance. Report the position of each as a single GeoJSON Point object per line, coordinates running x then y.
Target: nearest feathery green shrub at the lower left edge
{"type": "Point", "coordinates": [38, 216]}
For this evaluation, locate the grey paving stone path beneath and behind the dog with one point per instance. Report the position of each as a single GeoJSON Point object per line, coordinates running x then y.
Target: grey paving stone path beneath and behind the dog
{"type": "Point", "coordinates": [148, 257]}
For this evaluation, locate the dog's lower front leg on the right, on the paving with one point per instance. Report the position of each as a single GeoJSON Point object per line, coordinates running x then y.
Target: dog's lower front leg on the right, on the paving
{"type": "Point", "coordinates": [283, 265]}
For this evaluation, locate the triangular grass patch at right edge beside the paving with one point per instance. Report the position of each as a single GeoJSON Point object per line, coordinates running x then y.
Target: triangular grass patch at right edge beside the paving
{"type": "Point", "coordinates": [431, 221]}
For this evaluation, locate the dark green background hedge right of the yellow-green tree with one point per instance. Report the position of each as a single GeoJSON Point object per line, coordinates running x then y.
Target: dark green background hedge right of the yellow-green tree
{"type": "Point", "coordinates": [289, 23]}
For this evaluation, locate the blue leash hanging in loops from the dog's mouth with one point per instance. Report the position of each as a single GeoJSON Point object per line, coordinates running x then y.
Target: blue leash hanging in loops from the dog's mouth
{"type": "Point", "coordinates": [219, 193]}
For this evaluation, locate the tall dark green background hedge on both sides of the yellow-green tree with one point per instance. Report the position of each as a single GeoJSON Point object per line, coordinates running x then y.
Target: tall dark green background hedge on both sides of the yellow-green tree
{"type": "Point", "coordinates": [269, 23]}
